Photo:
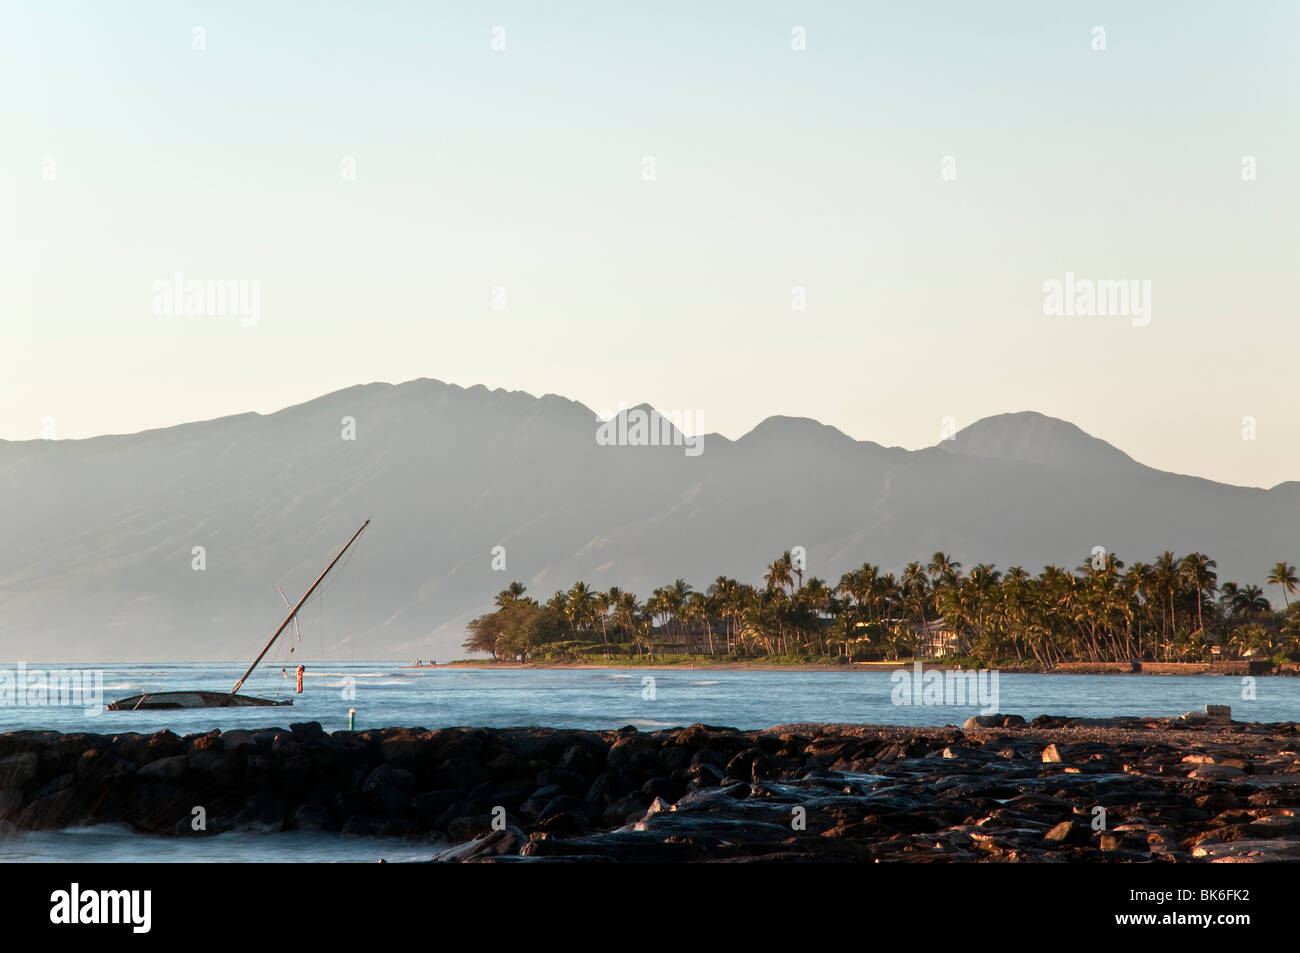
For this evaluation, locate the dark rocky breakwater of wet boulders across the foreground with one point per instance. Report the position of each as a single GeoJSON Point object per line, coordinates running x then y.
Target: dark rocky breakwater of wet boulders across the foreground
{"type": "Point", "coordinates": [998, 790]}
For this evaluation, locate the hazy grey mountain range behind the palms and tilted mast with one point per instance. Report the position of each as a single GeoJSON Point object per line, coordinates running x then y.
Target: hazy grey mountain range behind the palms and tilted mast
{"type": "Point", "coordinates": [102, 532]}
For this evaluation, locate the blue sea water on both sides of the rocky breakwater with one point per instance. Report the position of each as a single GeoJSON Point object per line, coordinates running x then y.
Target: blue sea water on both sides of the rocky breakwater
{"type": "Point", "coordinates": [384, 695]}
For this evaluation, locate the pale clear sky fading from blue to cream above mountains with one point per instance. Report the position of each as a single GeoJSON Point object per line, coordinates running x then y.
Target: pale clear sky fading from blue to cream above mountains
{"type": "Point", "coordinates": [128, 157]}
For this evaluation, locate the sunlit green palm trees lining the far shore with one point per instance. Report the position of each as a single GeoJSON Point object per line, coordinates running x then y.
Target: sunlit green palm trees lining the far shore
{"type": "Point", "coordinates": [1173, 609]}
